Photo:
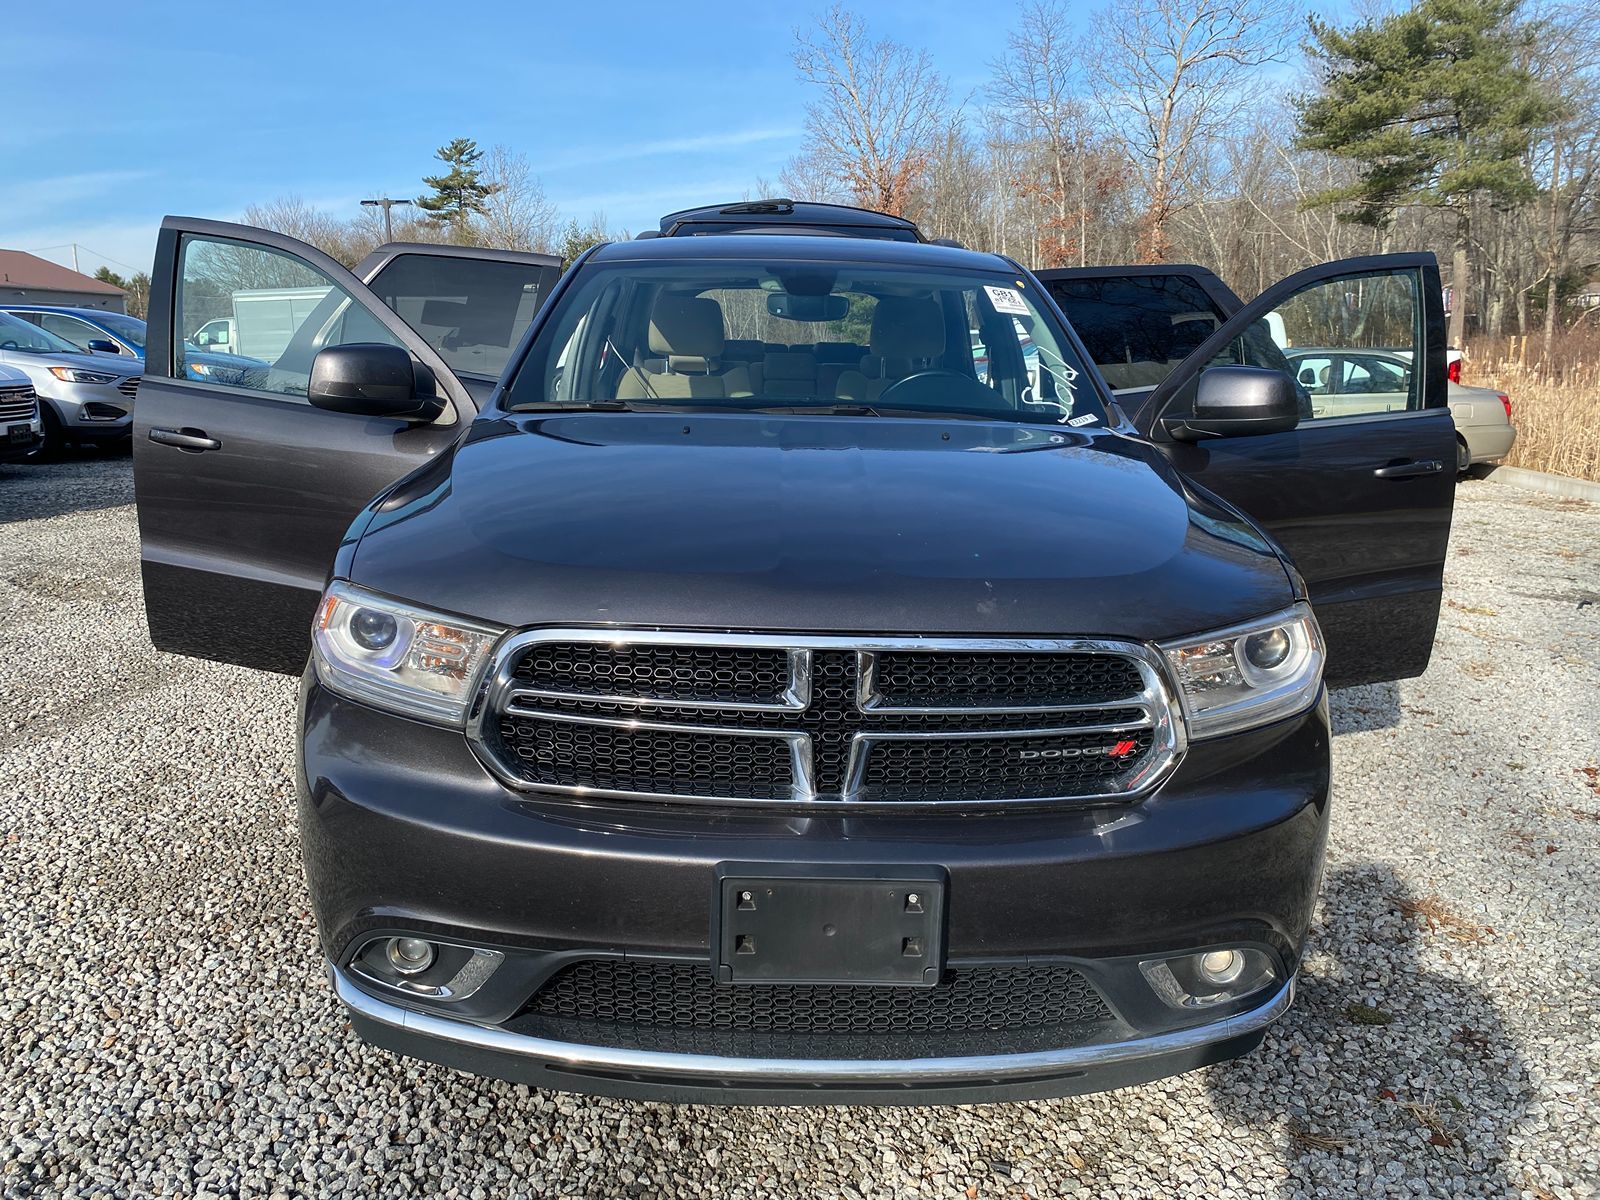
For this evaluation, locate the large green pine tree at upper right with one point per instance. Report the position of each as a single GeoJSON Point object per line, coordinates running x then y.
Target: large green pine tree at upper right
{"type": "Point", "coordinates": [1434, 108]}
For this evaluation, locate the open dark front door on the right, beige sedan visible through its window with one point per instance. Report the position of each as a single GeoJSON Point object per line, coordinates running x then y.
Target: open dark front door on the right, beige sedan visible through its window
{"type": "Point", "coordinates": [1359, 498]}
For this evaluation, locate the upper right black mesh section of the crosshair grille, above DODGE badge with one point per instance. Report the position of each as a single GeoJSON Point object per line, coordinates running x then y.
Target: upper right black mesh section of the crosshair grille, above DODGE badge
{"type": "Point", "coordinates": [1010, 681]}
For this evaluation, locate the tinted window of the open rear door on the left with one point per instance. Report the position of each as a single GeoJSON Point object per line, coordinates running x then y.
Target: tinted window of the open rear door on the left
{"type": "Point", "coordinates": [473, 311]}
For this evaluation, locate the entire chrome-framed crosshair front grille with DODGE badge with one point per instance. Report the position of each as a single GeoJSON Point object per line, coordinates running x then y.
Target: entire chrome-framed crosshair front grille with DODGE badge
{"type": "Point", "coordinates": [826, 721]}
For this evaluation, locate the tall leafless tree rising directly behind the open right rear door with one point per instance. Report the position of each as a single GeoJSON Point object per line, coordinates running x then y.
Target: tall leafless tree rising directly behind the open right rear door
{"type": "Point", "coordinates": [1172, 76]}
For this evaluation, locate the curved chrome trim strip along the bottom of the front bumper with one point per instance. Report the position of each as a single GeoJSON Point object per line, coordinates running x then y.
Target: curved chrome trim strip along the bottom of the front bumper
{"type": "Point", "coordinates": [806, 1071]}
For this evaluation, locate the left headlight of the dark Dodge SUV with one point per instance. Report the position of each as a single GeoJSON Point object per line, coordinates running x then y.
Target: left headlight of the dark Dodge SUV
{"type": "Point", "coordinates": [399, 657]}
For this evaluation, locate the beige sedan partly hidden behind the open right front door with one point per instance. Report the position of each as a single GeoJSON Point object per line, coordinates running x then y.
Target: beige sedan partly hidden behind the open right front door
{"type": "Point", "coordinates": [1378, 382]}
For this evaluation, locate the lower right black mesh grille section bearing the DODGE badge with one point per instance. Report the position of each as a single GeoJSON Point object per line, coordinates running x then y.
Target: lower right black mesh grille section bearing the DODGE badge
{"type": "Point", "coordinates": [988, 769]}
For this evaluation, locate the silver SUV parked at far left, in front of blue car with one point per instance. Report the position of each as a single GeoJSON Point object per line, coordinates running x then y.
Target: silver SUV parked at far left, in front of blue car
{"type": "Point", "coordinates": [84, 399]}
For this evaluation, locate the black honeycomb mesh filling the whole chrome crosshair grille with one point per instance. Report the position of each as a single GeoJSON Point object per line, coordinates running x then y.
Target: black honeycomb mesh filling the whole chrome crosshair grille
{"type": "Point", "coordinates": [543, 750]}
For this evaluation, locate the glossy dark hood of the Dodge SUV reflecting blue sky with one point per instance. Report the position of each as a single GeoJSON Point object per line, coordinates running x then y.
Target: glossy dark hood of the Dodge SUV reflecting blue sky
{"type": "Point", "coordinates": [815, 524]}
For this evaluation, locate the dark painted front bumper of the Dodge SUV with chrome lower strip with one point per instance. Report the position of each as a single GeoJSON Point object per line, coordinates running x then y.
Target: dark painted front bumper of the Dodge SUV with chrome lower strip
{"type": "Point", "coordinates": [404, 830]}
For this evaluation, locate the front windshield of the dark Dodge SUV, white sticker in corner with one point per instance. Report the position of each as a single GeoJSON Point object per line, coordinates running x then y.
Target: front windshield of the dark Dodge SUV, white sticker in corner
{"type": "Point", "coordinates": [860, 338]}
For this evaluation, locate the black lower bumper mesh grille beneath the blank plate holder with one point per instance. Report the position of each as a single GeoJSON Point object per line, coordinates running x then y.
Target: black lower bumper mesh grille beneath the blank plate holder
{"type": "Point", "coordinates": [687, 998]}
